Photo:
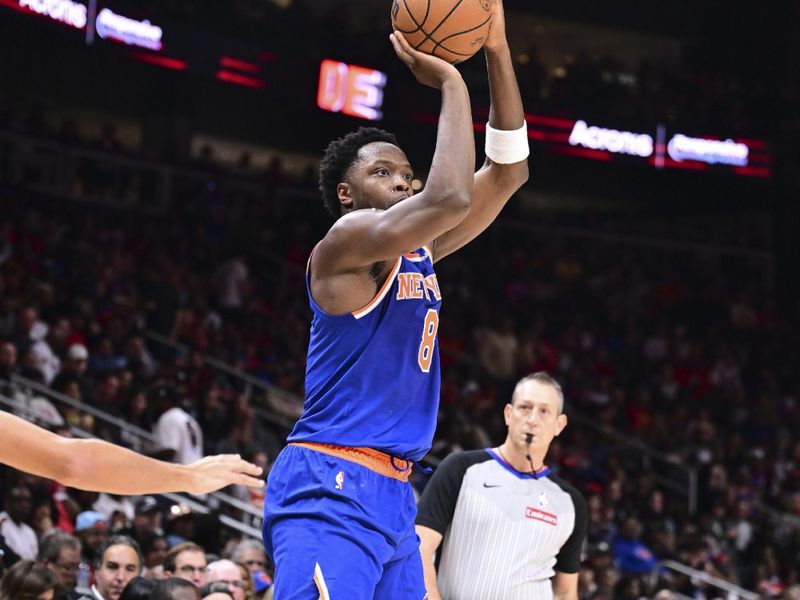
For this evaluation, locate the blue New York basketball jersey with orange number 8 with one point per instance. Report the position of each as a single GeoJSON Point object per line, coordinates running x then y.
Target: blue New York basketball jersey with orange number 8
{"type": "Point", "coordinates": [372, 376]}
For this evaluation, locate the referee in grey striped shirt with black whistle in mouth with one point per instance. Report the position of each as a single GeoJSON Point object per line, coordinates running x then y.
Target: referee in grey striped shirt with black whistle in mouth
{"type": "Point", "coordinates": [512, 530]}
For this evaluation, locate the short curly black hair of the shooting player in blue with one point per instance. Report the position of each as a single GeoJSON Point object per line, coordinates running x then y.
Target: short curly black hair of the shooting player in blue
{"type": "Point", "coordinates": [339, 157]}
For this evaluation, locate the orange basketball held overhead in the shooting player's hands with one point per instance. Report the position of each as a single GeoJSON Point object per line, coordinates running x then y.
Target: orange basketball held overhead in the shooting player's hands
{"type": "Point", "coordinates": [453, 30]}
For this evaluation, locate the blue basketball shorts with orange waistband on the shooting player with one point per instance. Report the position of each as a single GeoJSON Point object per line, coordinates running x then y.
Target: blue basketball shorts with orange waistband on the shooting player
{"type": "Point", "coordinates": [339, 529]}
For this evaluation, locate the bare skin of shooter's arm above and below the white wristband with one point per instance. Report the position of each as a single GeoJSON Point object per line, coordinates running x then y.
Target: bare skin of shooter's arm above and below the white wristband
{"type": "Point", "coordinates": [494, 183]}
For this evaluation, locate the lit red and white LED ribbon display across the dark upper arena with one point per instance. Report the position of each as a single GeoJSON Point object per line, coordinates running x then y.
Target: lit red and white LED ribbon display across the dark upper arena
{"type": "Point", "coordinates": [358, 91]}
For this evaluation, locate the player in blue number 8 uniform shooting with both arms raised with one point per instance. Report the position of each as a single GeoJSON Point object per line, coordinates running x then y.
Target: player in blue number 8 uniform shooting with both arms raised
{"type": "Point", "coordinates": [339, 511]}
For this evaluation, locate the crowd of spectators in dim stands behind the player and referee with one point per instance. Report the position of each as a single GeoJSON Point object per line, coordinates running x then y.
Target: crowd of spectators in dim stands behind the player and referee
{"type": "Point", "coordinates": [681, 350]}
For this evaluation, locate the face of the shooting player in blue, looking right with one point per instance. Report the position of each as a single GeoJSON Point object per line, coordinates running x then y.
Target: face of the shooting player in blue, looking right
{"type": "Point", "coordinates": [380, 178]}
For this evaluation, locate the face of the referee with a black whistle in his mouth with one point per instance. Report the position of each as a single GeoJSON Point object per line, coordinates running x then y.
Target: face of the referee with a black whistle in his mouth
{"type": "Point", "coordinates": [535, 411]}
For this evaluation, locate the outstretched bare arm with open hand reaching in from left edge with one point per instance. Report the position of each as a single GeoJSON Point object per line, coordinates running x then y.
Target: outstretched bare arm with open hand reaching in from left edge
{"type": "Point", "coordinates": [98, 466]}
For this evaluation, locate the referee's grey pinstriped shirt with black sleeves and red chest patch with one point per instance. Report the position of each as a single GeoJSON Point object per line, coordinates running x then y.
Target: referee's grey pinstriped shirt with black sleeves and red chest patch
{"type": "Point", "coordinates": [506, 533]}
